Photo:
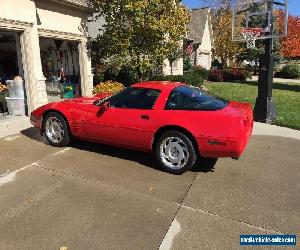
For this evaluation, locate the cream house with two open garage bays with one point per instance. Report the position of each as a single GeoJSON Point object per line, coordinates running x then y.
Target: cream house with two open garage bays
{"type": "Point", "coordinates": [43, 41]}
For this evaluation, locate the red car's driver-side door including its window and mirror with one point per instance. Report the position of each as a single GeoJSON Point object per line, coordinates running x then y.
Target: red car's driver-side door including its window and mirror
{"type": "Point", "coordinates": [128, 120]}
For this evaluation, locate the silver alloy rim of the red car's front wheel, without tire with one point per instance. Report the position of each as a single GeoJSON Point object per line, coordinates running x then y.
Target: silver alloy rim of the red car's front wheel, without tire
{"type": "Point", "coordinates": [54, 130]}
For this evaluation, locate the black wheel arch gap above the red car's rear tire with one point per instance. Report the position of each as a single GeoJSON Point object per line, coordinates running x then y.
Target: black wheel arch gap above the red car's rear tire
{"type": "Point", "coordinates": [166, 128]}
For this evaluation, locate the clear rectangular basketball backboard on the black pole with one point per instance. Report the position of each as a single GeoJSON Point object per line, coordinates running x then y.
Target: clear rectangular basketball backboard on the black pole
{"type": "Point", "coordinates": [268, 15]}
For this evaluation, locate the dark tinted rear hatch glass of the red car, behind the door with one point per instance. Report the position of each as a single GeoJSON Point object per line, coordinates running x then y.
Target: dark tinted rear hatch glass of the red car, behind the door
{"type": "Point", "coordinates": [193, 98]}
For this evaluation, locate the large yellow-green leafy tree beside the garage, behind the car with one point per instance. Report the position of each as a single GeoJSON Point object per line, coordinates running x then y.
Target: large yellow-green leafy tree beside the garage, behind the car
{"type": "Point", "coordinates": [139, 33]}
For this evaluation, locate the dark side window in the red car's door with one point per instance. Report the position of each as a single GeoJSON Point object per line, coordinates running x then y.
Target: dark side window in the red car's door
{"type": "Point", "coordinates": [135, 98]}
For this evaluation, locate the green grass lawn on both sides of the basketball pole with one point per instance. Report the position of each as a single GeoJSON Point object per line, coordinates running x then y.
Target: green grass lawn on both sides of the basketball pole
{"type": "Point", "coordinates": [286, 97]}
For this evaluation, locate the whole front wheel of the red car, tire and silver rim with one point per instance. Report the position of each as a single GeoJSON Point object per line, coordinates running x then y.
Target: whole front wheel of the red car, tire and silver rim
{"type": "Point", "coordinates": [56, 130]}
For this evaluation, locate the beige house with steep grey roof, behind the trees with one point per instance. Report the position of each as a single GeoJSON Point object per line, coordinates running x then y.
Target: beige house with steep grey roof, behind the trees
{"type": "Point", "coordinates": [200, 35]}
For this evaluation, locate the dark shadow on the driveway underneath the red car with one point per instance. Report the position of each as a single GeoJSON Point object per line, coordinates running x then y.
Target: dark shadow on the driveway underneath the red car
{"type": "Point", "coordinates": [202, 165]}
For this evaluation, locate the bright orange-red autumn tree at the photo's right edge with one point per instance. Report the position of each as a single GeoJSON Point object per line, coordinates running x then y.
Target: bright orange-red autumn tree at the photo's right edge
{"type": "Point", "coordinates": [290, 45]}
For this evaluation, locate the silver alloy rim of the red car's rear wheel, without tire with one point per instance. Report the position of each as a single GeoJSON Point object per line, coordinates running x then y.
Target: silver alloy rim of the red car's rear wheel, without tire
{"type": "Point", "coordinates": [174, 153]}
